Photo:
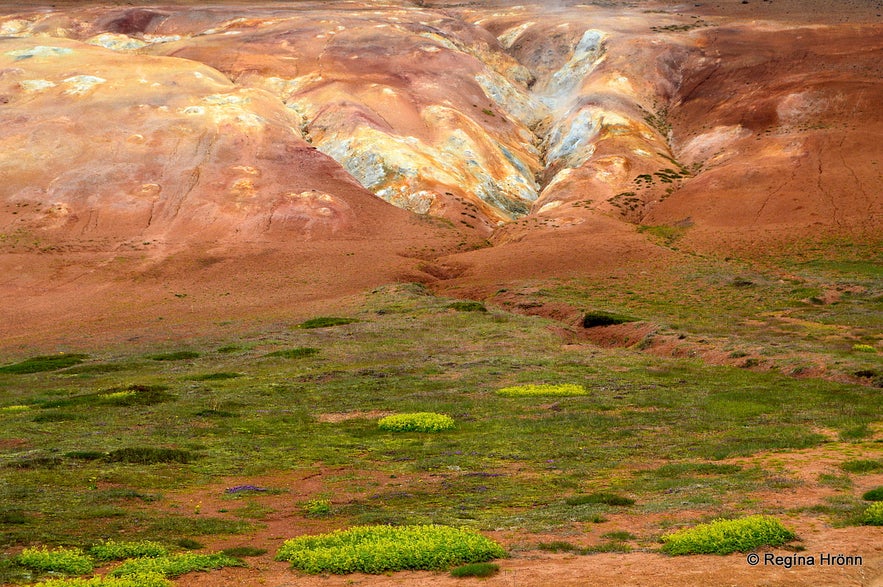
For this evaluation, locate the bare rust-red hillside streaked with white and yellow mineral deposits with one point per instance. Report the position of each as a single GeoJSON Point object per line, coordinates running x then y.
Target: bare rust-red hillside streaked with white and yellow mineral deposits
{"type": "Point", "coordinates": [285, 152]}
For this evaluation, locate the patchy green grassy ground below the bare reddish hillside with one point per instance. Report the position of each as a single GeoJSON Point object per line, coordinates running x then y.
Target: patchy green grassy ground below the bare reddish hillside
{"type": "Point", "coordinates": [89, 447]}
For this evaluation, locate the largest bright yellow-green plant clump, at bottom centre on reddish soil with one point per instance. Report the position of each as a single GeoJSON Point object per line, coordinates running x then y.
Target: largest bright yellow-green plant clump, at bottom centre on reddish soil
{"type": "Point", "coordinates": [378, 549]}
